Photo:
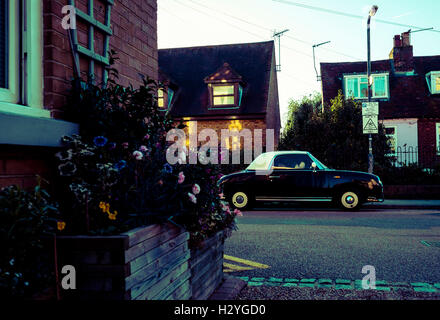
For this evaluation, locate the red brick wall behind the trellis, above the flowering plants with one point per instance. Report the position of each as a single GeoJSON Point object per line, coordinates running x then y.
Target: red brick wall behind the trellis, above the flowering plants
{"type": "Point", "coordinates": [134, 25]}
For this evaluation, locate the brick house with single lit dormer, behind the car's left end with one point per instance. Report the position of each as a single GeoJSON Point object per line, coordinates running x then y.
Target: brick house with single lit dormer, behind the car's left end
{"type": "Point", "coordinates": [222, 87]}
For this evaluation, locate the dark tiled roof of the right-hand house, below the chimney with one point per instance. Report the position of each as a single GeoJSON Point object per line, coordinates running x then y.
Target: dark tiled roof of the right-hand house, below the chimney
{"type": "Point", "coordinates": [409, 93]}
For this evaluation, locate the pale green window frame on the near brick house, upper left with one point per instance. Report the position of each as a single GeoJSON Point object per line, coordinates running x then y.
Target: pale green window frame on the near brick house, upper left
{"type": "Point", "coordinates": [25, 93]}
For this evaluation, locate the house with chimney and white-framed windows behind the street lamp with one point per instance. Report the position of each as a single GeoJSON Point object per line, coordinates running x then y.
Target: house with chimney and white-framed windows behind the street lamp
{"type": "Point", "coordinates": [408, 91]}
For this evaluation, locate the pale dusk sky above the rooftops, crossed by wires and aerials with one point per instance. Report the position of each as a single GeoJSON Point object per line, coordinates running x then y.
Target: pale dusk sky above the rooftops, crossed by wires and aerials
{"type": "Point", "coordinates": [184, 23]}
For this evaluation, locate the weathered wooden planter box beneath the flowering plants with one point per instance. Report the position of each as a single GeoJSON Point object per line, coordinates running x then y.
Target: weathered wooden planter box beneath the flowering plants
{"type": "Point", "coordinates": [149, 263]}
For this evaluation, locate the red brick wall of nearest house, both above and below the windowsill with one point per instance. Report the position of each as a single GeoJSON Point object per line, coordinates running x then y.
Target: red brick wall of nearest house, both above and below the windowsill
{"type": "Point", "coordinates": [134, 25]}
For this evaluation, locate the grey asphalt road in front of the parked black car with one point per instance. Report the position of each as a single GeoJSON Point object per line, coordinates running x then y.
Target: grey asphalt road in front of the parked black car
{"type": "Point", "coordinates": [322, 243]}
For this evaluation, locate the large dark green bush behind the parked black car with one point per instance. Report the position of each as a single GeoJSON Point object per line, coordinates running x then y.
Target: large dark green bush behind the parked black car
{"type": "Point", "coordinates": [334, 135]}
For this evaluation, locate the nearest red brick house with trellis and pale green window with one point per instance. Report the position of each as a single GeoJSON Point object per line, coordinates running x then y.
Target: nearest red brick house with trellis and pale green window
{"type": "Point", "coordinates": [38, 59]}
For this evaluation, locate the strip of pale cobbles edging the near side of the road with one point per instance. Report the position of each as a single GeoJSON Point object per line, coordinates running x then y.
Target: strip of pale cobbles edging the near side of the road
{"type": "Point", "coordinates": [340, 284]}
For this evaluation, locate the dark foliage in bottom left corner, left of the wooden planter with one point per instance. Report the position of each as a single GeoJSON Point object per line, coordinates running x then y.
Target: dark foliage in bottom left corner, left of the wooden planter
{"type": "Point", "coordinates": [26, 218]}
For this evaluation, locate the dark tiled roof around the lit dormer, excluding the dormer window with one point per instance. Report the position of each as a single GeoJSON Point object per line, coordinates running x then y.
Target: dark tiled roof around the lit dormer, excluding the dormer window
{"type": "Point", "coordinates": [189, 68]}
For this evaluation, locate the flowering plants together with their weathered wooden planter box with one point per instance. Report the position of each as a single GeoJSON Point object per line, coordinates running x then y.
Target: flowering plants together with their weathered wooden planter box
{"type": "Point", "coordinates": [127, 218]}
